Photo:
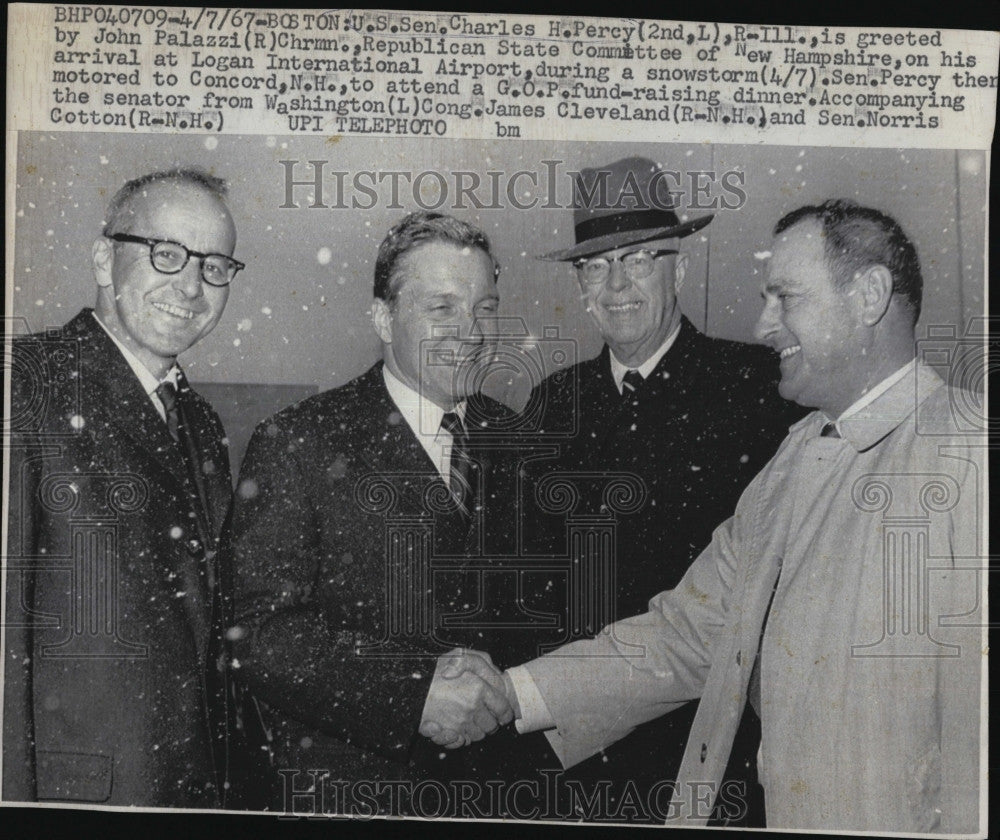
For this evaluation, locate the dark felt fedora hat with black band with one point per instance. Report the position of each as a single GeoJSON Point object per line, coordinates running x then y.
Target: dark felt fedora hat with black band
{"type": "Point", "coordinates": [623, 203]}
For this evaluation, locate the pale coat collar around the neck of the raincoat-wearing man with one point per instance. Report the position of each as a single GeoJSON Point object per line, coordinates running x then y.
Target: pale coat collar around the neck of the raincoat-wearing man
{"type": "Point", "coordinates": [885, 406]}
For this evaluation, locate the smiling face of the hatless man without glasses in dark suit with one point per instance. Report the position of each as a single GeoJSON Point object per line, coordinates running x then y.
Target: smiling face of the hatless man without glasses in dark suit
{"type": "Point", "coordinates": [433, 333]}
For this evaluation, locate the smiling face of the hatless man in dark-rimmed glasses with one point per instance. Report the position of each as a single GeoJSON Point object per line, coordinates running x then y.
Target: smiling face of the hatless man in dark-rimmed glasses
{"type": "Point", "coordinates": [158, 316]}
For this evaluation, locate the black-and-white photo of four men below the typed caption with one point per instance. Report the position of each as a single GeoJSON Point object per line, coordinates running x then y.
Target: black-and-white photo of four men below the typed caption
{"type": "Point", "coordinates": [497, 480]}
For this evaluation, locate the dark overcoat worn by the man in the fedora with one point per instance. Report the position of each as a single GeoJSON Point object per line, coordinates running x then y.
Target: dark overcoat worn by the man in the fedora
{"type": "Point", "coordinates": [698, 429]}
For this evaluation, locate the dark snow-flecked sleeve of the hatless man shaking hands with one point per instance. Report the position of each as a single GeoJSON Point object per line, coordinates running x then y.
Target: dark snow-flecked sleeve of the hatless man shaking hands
{"type": "Point", "coordinates": [290, 650]}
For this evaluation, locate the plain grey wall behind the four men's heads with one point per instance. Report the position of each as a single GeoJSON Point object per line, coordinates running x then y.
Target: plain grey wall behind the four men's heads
{"type": "Point", "coordinates": [298, 315]}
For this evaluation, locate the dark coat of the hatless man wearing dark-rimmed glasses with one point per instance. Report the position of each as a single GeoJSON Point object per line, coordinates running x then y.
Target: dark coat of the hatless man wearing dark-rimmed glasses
{"type": "Point", "coordinates": [112, 690]}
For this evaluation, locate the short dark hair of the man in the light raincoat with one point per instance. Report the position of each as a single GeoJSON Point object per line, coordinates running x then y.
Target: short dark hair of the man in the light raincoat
{"type": "Point", "coordinates": [856, 237]}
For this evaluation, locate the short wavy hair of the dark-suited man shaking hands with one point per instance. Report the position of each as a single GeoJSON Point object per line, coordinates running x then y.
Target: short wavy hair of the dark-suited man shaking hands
{"type": "Point", "coordinates": [417, 229]}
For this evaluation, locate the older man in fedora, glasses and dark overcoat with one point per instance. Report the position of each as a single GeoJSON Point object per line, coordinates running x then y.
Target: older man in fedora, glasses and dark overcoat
{"type": "Point", "coordinates": [693, 418]}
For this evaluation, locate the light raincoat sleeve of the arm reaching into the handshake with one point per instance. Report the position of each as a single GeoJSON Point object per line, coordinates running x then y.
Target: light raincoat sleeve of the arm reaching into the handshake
{"type": "Point", "coordinates": [637, 669]}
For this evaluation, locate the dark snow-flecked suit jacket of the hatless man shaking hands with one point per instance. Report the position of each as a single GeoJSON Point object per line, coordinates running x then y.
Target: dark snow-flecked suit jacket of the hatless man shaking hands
{"type": "Point", "coordinates": [350, 581]}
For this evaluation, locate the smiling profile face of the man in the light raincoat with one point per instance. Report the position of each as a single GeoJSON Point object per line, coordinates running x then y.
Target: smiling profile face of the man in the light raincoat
{"type": "Point", "coordinates": [813, 323]}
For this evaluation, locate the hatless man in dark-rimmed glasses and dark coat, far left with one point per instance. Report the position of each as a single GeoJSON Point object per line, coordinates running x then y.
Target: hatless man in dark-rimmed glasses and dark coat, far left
{"type": "Point", "coordinates": [116, 689]}
